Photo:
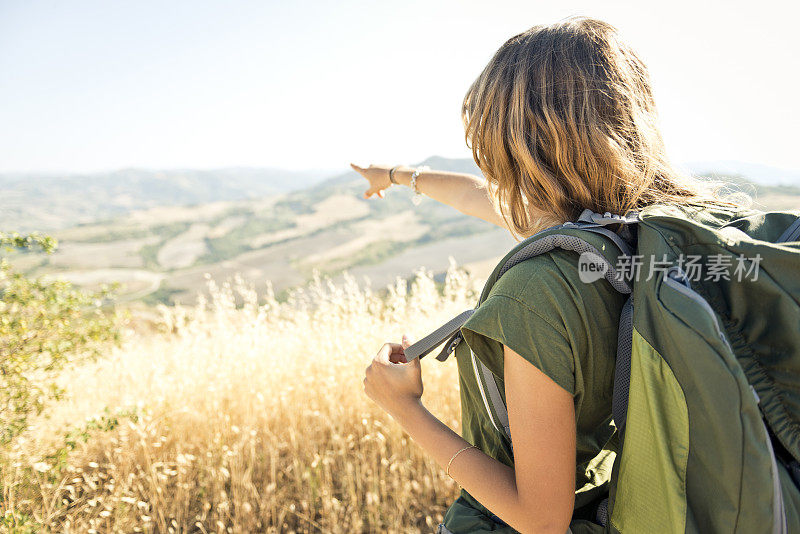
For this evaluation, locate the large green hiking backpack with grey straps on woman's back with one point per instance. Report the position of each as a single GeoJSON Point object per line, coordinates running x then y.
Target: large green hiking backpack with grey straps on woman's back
{"type": "Point", "coordinates": [707, 385]}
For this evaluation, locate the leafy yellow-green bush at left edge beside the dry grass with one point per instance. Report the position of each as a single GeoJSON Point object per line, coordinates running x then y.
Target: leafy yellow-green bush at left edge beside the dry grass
{"type": "Point", "coordinates": [44, 326]}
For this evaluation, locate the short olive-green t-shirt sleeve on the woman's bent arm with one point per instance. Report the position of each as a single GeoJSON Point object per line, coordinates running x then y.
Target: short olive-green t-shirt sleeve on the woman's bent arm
{"type": "Point", "coordinates": [509, 316]}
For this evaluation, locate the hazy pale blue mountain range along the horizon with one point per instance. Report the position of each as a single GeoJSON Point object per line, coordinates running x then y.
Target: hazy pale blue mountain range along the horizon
{"type": "Point", "coordinates": [50, 202]}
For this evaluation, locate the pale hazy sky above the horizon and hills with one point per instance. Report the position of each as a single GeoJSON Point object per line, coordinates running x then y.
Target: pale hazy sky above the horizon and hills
{"type": "Point", "coordinates": [94, 85]}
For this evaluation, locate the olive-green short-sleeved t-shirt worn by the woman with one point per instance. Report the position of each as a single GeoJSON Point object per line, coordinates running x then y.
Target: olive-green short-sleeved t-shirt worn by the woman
{"type": "Point", "coordinates": [568, 329]}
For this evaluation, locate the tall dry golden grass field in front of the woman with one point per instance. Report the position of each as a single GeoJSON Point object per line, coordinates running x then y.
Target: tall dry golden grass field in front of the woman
{"type": "Point", "coordinates": [248, 418]}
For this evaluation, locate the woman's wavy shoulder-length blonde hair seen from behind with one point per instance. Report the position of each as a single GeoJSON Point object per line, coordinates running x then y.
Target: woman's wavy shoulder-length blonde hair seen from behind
{"type": "Point", "coordinates": [563, 119]}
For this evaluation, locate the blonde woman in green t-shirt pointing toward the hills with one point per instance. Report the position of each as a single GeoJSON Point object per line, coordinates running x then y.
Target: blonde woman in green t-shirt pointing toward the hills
{"type": "Point", "coordinates": [560, 120]}
